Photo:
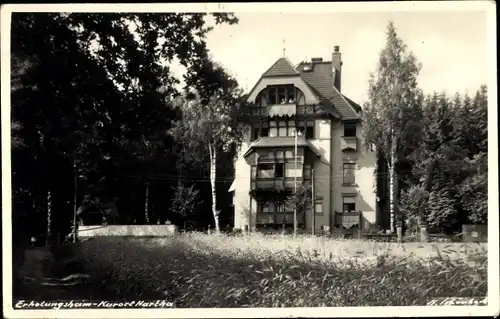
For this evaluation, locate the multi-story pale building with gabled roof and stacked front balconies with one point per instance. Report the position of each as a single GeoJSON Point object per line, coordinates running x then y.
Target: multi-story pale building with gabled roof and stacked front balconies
{"type": "Point", "coordinates": [305, 98]}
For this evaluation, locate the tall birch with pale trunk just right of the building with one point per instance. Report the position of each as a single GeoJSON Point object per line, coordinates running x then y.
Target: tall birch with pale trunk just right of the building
{"type": "Point", "coordinates": [391, 109]}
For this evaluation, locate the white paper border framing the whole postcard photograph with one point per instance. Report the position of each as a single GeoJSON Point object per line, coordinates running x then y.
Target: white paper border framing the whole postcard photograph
{"type": "Point", "coordinates": [493, 265]}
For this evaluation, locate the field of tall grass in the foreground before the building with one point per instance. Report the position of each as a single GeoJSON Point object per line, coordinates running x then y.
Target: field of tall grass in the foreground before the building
{"type": "Point", "coordinates": [198, 270]}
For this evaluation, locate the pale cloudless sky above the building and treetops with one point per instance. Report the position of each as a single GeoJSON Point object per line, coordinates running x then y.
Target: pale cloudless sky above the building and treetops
{"type": "Point", "coordinates": [451, 45]}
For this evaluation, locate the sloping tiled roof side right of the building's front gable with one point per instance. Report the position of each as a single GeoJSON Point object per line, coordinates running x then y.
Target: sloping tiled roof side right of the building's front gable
{"type": "Point", "coordinates": [320, 78]}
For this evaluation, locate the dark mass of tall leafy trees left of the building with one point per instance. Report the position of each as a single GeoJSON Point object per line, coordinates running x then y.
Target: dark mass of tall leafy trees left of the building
{"type": "Point", "coordinates": [93, 105]}
